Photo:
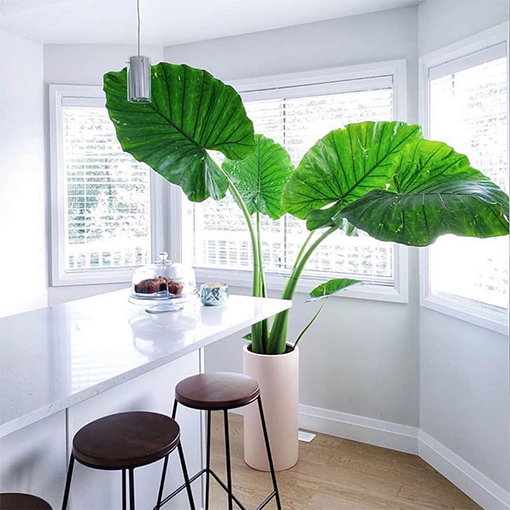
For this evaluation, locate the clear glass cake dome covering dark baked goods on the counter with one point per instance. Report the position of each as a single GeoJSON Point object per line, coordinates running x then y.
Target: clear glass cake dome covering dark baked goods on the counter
{"type": "Point", "coordinates": [164, 280]}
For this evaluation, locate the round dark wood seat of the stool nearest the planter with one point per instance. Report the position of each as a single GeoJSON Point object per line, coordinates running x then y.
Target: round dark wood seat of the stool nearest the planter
{"type": "Point", "coordinates": [217, 391]}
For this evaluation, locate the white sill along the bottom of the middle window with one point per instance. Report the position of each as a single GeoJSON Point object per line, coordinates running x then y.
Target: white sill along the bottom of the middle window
{"type": "Point", "coordinates": [277, 282]}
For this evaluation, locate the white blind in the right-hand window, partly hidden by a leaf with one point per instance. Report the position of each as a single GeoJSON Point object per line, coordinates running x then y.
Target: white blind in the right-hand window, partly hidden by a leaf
{"type": "Point", "coordinates": [468, 110]}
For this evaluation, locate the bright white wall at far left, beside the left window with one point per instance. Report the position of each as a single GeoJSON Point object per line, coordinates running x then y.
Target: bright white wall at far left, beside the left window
{"type": "Point", "coordinates": [23, 178]}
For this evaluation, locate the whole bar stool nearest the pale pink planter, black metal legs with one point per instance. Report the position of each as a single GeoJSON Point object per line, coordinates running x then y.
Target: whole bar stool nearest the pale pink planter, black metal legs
{"type": "Point", "coordinates": [221, 391]}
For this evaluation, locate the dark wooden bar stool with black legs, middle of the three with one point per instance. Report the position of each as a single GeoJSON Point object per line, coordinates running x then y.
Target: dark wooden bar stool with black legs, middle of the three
{"type": "Point", "coordinates": [125, 441]}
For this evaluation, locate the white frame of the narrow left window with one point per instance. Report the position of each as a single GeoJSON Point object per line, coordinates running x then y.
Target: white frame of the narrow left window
{"type": "Point", "coordinates": [93, 95]}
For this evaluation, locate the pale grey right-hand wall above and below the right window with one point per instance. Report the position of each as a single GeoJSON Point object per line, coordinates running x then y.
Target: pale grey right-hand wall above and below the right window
{"type": "Point", "coordinates": [464, 386]}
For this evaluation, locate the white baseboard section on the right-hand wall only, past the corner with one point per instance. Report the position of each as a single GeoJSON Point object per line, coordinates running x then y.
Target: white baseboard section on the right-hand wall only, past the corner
{"type": "Point", "coordinates": [467, 478]}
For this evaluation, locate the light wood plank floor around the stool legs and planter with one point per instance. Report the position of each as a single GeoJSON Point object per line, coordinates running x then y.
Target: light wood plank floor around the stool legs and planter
{"type": "Point", "coordinates": [336, 474]}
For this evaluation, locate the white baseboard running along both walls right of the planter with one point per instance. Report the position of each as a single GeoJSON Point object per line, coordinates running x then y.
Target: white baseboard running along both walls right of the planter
{"type": "Point", "coordinates": [468, 479]}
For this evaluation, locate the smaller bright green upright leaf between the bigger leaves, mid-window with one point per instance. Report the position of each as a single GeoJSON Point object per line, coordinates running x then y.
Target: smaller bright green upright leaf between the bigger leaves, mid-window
{"type": "Point", "coordinates": [261, 177]}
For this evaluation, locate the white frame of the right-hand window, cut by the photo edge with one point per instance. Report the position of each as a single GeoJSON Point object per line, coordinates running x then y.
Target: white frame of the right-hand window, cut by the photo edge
{"type": "Point", "coordinates": [463, 309]}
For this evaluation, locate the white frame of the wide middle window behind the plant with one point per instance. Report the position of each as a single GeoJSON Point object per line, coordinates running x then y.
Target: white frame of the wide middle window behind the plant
{"type": "Point", "coordinates": [319, 82]}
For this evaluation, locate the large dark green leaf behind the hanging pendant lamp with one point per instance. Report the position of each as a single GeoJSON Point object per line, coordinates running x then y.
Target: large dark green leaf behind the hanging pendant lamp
{"type": "Point", "coordinates": [191, 112]}
